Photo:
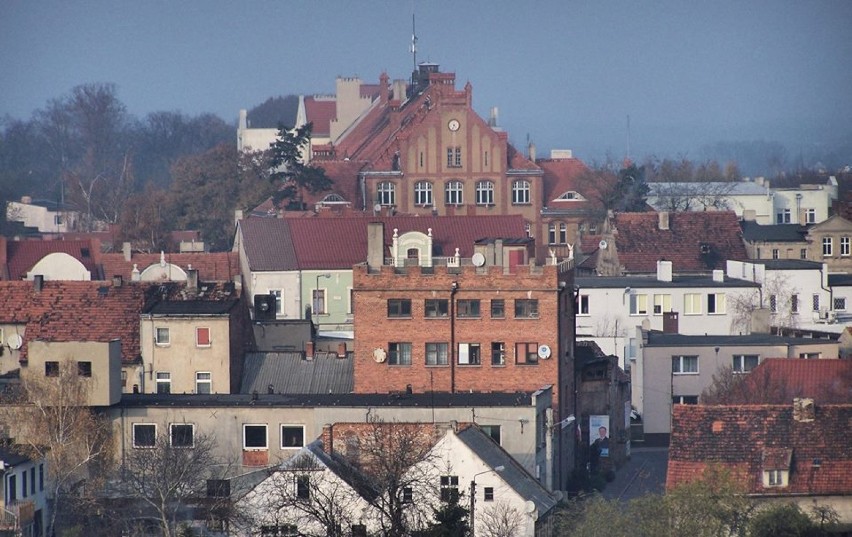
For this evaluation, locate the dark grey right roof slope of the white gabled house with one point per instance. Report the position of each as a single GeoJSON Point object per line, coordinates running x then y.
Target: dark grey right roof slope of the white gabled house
{"type": "Point", "coordinates": [513, 473]}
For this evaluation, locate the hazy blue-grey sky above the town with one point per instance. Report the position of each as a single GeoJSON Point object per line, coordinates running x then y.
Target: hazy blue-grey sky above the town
{"type": "Point", "coordinates": [605, 78]}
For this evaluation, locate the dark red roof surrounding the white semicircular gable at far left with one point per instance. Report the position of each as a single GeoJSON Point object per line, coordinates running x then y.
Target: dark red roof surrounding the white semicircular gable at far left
{"type": "Point", "coordinates": [23, 255]}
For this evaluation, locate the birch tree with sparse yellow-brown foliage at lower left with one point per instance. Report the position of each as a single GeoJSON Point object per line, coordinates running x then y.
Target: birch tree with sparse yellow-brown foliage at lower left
{"type": "Point", "coordinates": [52, 422]}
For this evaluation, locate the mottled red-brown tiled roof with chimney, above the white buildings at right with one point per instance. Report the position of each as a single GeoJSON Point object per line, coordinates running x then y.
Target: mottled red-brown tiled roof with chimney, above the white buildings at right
{"type": "Point", "coordinates": [693, 242]}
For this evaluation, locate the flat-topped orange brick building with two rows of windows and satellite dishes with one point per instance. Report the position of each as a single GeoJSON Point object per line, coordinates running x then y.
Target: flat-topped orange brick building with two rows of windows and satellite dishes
{"type": "Point", "coordinates": [497, 322]}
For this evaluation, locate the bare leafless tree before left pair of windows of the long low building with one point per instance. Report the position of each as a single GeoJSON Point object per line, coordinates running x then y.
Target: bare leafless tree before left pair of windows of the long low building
{"type": "Point", "coordinates": [169, 475]}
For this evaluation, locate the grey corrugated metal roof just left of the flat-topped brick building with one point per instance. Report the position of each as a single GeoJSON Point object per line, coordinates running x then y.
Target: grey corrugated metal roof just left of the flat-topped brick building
{"type": "Point", "coordinates": [291, 373]}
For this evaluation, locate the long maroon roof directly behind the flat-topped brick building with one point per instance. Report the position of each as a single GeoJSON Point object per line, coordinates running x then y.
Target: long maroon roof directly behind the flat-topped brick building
{"type": "Point", "coordinates": [273, 244]}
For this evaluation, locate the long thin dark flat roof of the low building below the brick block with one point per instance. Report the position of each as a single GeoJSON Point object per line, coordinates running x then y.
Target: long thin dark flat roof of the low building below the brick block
{"type": "Point", "coordinates": [444, 400]}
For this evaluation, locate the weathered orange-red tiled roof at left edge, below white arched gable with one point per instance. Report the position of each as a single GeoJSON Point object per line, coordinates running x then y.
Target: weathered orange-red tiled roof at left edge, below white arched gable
{"type": "Point", "coordinates": [76, 311]}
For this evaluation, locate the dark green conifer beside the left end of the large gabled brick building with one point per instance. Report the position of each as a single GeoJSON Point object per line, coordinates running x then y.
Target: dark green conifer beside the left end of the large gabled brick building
{"type": "Point", "coordinates": [292, 177]}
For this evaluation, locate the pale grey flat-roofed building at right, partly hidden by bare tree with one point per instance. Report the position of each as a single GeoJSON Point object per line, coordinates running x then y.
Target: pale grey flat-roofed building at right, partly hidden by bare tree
{"type": "Point", "coordinates": [674, 369]}
